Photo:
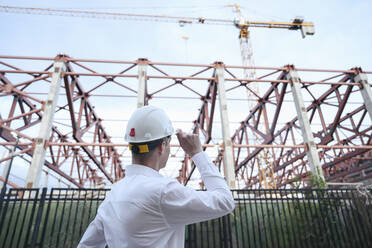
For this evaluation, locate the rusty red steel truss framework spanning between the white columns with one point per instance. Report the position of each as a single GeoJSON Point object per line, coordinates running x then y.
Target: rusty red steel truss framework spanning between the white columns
{"type": "Point", "coordinates": [81, 151]}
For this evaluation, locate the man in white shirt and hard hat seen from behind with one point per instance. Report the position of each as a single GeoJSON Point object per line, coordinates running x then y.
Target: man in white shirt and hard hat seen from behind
{"type": "Point", "coordinates": [145, 209]}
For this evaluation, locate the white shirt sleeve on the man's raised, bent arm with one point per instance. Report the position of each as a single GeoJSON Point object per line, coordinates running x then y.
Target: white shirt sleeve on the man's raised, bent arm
{"type": "Point", "coordinates": [183, 205]}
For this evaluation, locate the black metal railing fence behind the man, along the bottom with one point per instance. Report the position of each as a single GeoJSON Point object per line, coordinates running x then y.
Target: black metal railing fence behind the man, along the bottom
{"type": "Point", "coordinates": [262, 218]}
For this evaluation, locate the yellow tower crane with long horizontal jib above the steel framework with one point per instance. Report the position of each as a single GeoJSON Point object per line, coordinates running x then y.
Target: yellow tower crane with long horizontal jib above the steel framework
{"type": "Point", "coordinates": [307, 28]}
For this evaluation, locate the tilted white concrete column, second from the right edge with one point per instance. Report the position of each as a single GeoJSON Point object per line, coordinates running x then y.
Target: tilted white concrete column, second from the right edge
{"type": "Point", "coordinates": [307, 134]}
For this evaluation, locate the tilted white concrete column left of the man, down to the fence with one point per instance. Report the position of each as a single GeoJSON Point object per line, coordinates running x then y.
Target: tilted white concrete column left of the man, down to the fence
{"type": "Point", "coordinates": [38, 158]}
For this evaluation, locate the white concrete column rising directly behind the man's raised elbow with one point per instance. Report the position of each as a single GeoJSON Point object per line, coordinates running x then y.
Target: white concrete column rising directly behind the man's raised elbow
{"type": "Point", "coordinates": [228, 160]}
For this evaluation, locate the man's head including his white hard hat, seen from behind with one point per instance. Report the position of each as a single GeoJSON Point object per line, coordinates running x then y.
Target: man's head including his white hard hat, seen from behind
{"type": "Point", "coordinates": [148, 133]}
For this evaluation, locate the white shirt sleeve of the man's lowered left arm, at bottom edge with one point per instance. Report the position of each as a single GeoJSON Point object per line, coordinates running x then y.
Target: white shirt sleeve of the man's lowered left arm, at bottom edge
{"type": "Point", "coordinates": [93, 236]}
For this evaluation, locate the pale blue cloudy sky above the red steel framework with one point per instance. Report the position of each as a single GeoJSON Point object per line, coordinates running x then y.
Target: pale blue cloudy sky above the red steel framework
{"type": "Point", "coordinates": [342, 37]}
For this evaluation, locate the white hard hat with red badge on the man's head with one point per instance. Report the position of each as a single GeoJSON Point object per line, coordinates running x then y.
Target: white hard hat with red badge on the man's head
{"type": "Point", "coordinates": [146, 124]}
